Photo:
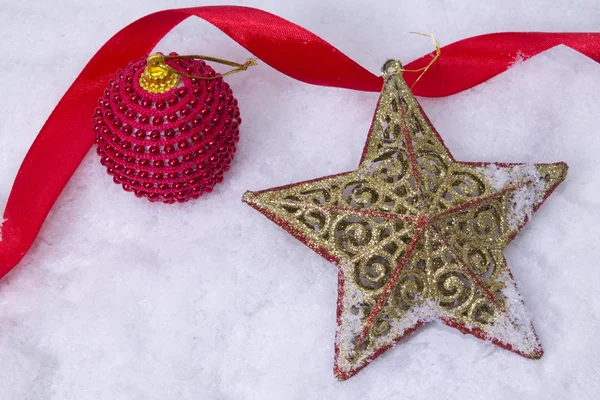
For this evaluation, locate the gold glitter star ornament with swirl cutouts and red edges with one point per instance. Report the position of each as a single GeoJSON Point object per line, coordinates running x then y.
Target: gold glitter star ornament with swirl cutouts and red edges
{"type": "Point", "coordinates": [416, 235]}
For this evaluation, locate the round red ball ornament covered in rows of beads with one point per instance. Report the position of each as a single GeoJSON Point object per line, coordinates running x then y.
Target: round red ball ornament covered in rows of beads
{"type": "Point", "coordinates": [172, 146]}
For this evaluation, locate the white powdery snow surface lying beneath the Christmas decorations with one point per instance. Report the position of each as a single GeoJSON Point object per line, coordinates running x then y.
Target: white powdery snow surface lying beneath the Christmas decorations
{"type": "Point", "coordinates": [123, 299]}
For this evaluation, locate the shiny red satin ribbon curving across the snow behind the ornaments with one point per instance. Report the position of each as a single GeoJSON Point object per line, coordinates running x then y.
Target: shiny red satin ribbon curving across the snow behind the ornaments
{"type": "Point", "coordinates": [67, 135]}
